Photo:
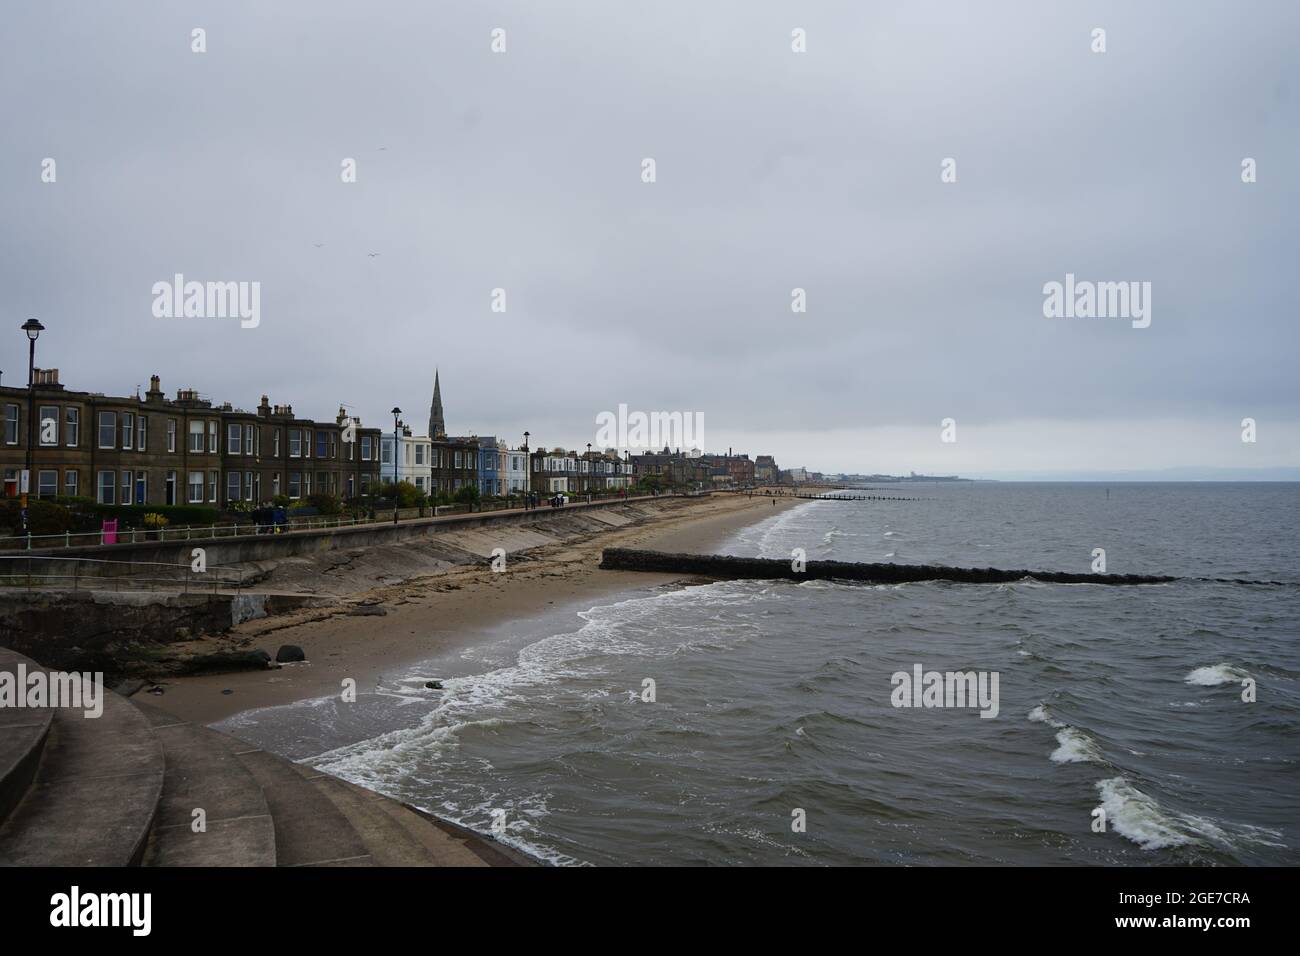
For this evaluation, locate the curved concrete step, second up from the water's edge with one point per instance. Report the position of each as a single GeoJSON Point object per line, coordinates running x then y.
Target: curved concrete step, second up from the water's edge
{"type": "Point", "coordinates": [310, 830]}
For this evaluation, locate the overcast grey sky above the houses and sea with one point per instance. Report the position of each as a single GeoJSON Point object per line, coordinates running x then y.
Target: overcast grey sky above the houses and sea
{"type": "Point", "coordinates": [824, 171]}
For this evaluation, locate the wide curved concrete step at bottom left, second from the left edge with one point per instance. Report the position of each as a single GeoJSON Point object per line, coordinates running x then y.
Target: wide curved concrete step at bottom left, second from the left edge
{"type": "Point", "coordinates": [94, 794]}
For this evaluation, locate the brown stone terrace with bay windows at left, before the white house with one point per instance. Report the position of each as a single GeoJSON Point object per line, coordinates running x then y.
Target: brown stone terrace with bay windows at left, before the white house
{"type": "Point", "coordinates": [153, 451]}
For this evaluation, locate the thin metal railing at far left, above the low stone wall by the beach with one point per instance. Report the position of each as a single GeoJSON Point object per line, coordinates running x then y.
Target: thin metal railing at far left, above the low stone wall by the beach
{"type": "Point", "coordinates": [102, 574]}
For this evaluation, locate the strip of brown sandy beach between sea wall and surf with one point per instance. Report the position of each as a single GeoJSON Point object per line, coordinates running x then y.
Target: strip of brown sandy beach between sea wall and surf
{"type": "Point", "coordinates": [432, 615]}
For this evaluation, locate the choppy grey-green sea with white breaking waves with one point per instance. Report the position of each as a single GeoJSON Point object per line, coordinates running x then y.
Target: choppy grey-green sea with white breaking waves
{"type": "Point", "coordinates": [761, 723]}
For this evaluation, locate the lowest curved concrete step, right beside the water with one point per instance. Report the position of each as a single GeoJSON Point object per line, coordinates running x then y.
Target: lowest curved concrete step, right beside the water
{"type": "Point", "coordinates": [393, 834]}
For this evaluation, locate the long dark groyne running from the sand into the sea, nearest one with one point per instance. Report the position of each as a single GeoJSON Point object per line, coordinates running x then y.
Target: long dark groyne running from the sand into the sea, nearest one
{"type": "Point", "coordinates": [726, 568]}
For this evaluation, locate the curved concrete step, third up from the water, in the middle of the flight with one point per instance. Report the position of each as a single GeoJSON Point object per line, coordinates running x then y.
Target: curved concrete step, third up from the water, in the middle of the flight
{"type": "Point", "coordinates": [202, 773]}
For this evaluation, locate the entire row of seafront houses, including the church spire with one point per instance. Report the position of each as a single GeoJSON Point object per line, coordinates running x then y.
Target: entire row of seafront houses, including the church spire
{"type": "Point", "coordinates": [157, 451]}
